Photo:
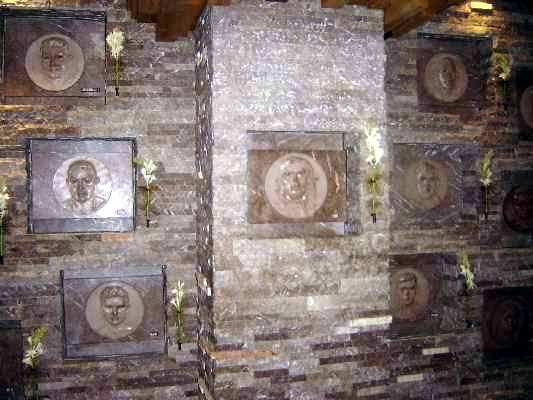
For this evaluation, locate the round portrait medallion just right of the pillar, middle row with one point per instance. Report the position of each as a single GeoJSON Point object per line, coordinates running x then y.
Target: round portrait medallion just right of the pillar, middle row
{"type": "Point", "coordinates": [426, 183]}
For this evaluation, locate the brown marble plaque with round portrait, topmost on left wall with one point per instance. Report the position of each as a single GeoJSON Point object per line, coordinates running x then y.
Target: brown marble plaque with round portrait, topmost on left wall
{"type": "Point", "coordinates": [54, 57]}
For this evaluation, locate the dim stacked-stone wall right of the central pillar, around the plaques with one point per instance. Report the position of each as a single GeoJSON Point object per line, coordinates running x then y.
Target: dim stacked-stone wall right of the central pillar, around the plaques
{"type": "Point", "coordinates": [452, 365]}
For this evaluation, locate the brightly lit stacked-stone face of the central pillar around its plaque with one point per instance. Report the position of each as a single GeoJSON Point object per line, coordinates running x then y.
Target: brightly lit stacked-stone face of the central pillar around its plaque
{"type": "Point", "coordinates": [299, 315]}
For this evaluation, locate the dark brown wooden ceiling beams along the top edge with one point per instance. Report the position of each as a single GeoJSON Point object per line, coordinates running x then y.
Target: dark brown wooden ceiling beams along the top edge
{"type": "Point", "coordinates": [175, 18]}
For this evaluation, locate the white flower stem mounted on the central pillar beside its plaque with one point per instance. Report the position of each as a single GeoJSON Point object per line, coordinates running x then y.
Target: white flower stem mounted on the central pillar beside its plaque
{"type": "Point", "coordinates": [375, 154]}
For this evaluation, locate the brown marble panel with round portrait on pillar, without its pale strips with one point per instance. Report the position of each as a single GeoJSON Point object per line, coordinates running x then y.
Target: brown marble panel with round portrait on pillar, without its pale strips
{"type": "Point", "coordinates": [296, 186]}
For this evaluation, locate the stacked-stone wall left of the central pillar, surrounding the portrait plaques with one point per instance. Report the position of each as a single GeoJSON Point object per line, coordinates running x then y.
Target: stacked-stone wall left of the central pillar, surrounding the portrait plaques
{"type": "Point", "coordinates": [155, 106]}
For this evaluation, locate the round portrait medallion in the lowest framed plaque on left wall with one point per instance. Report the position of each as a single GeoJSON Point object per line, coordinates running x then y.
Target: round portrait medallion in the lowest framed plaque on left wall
{"type": "Point", "coordinates": [114, 310]}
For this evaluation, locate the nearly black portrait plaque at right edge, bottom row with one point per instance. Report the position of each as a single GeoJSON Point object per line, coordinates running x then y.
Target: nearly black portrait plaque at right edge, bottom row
{"type": "Point", "coordinates": [507, 322]}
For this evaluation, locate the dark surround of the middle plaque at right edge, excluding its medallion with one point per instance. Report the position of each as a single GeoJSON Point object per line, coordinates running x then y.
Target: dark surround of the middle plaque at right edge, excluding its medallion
{"type": "Point", "coordinates": [509, 236]}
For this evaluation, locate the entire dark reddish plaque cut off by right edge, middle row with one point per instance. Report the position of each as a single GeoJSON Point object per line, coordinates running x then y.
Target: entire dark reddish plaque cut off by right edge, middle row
{"type": "Point", "coordinates": [517, 209]}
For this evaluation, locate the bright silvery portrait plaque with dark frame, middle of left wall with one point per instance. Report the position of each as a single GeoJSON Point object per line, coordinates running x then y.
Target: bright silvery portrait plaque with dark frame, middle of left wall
{"type": "Point", "coordinates": [52, 207]}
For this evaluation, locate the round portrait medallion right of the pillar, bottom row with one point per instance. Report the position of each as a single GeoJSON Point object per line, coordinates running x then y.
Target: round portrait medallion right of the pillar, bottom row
{"type": "Point", "coordinates": [410, 295]}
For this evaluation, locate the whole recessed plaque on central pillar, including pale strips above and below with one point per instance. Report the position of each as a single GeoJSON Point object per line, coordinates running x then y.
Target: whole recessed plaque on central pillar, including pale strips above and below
{"type": "Point", "coordinates": [297, 184]}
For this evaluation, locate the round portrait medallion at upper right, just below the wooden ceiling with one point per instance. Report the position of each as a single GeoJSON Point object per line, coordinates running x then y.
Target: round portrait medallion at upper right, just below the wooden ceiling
{"type": "Point", "coordinates": [445, 77]}
